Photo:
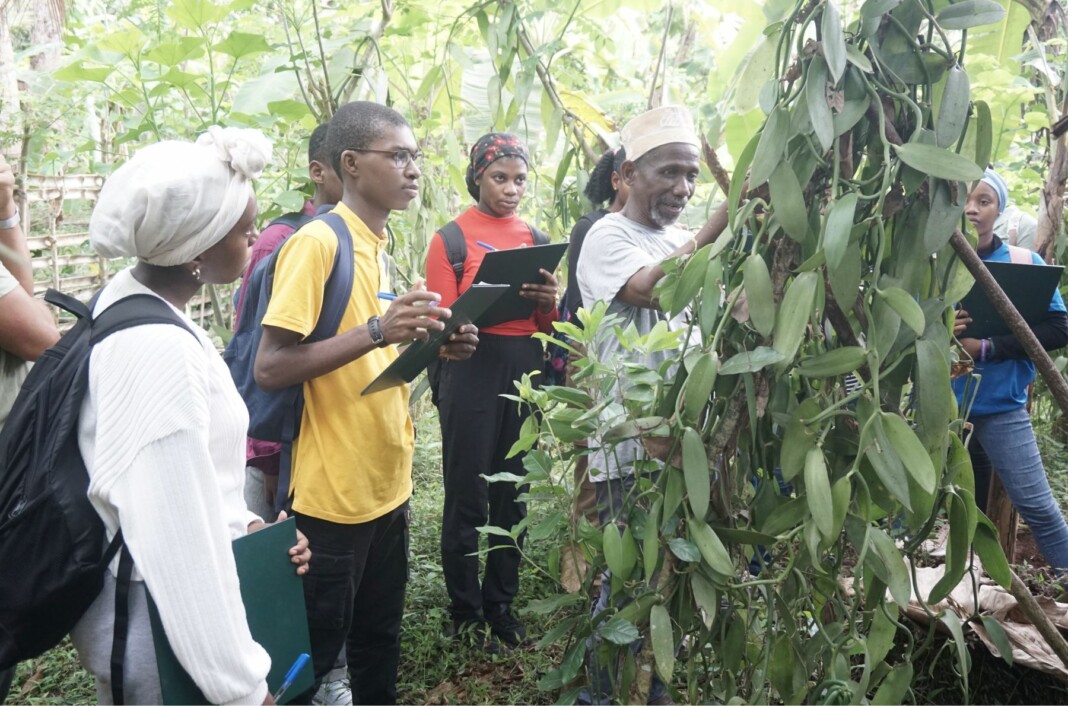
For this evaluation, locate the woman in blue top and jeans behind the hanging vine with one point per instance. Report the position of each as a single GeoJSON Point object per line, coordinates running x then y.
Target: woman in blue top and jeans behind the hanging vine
{"type": "Point", "coordinates": [996, 394]}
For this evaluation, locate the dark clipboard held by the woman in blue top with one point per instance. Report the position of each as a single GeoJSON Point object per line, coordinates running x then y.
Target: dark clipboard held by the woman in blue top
{"type": "Point", "coordinates": [1030, 288]}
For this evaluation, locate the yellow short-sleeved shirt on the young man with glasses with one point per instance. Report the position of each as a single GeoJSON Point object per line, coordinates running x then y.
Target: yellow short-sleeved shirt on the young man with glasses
{"type": "Point", "coordinates": [353, 461]}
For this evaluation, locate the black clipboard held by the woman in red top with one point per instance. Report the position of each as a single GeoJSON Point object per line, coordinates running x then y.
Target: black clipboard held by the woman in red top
{"type": "Point", "coordinates": [515, 268]}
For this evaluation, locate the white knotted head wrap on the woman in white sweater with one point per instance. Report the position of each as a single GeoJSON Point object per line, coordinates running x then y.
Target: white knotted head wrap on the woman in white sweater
{"type": "Point", "coordinates": [175, 200]}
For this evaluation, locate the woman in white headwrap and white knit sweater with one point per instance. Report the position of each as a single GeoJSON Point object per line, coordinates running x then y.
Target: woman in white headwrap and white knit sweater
{"type": "Point", "coordinates": [163, 428]}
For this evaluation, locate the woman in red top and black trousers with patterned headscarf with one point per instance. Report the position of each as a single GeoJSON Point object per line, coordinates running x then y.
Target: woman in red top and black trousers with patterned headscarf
{"type": "Point", "coordinates": [479, 427]}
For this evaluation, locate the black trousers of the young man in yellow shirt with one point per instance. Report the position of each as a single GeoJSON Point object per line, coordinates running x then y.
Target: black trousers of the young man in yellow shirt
{"type": "Point", "coordinates": [354, 592]}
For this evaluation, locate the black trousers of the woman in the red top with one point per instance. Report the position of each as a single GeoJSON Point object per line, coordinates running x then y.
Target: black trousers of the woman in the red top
{"type": "Point", "coordinates": [479, 428]}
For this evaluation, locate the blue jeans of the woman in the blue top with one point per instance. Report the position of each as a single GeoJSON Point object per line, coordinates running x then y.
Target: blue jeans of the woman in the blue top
{"type": "Point", "coordinates": [1009, 442]}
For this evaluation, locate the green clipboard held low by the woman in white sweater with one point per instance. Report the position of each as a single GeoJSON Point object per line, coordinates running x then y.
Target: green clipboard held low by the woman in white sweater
{"type": "Point", "coordinates": [274, 599]}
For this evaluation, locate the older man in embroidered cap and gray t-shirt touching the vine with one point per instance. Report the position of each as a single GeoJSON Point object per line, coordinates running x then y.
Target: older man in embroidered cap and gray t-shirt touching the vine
{"type": "Point", "coordinates": [622, 261]}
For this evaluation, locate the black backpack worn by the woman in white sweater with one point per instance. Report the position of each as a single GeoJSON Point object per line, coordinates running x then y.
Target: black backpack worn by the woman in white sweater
{"type": "Point", "coordinates": [52, 539]}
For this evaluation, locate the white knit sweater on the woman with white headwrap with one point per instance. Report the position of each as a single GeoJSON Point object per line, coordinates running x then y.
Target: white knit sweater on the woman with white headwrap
{"type": "Point", "coordinates": [163, 434]}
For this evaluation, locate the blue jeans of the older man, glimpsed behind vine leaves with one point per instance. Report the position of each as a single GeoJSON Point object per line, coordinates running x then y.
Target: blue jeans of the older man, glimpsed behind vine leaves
{"type": "Point", "coordinates": [615, 498]}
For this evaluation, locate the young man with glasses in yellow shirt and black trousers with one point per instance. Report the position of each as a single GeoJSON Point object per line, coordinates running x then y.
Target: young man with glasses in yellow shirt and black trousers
{"type": "Point", "coordinates": [352, 467]}
